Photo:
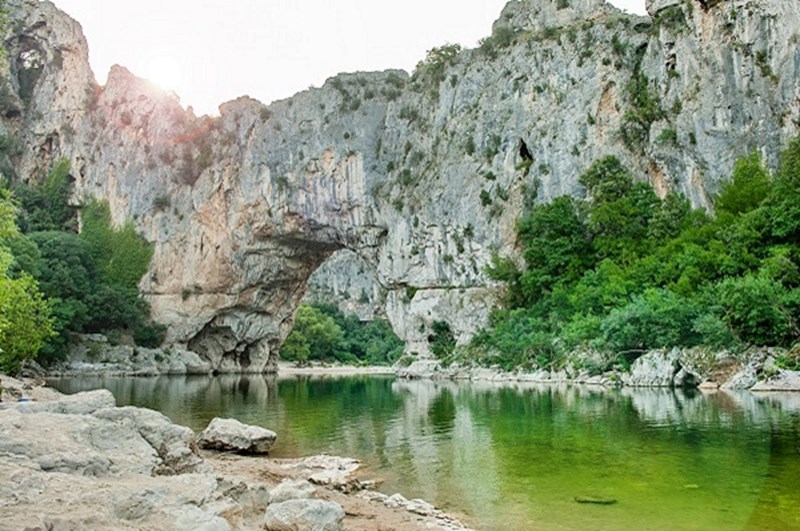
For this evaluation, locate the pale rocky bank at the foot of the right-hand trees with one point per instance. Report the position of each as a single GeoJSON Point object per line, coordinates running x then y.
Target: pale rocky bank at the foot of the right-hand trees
{"type": "Point", "coordinates": [757, 370]}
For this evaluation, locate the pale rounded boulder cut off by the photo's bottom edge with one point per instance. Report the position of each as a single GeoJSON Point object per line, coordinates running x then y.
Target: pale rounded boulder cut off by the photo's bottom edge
{"type": "Point", "coordinates": [304, 515]}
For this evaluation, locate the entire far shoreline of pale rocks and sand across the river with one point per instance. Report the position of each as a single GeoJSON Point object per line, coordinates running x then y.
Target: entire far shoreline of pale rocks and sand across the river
{"type": "Point", "coordinates": [755, 369]}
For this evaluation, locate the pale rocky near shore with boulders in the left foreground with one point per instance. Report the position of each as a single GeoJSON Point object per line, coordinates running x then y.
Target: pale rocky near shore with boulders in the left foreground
{"type": "Point", "coordinates": [80, 462]}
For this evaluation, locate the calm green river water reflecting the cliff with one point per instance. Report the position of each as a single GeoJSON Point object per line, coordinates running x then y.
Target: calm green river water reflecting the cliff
{"type": "Point", "coordinates": [516, 457]}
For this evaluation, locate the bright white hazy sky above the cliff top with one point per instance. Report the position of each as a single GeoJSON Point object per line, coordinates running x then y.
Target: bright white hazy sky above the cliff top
{"type": "Point", "coordinates": [211, 51]}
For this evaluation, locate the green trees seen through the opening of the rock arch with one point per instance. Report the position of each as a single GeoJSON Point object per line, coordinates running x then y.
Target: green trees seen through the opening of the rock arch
{"type": "Point", "coordinates": [322, 332]}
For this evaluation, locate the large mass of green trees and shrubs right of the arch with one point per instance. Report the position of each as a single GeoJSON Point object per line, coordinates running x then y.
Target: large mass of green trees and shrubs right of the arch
{"type": "Point", "coordinates": [625, 271]}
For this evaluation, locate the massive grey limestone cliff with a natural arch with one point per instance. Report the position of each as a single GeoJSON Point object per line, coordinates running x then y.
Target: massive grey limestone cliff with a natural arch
{"type": "Point", "coordinates": [419, 178]}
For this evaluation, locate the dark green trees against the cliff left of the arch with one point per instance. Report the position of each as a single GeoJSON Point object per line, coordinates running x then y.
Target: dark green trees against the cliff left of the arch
{"type": "Point", "coordinates": [89, 281]}
